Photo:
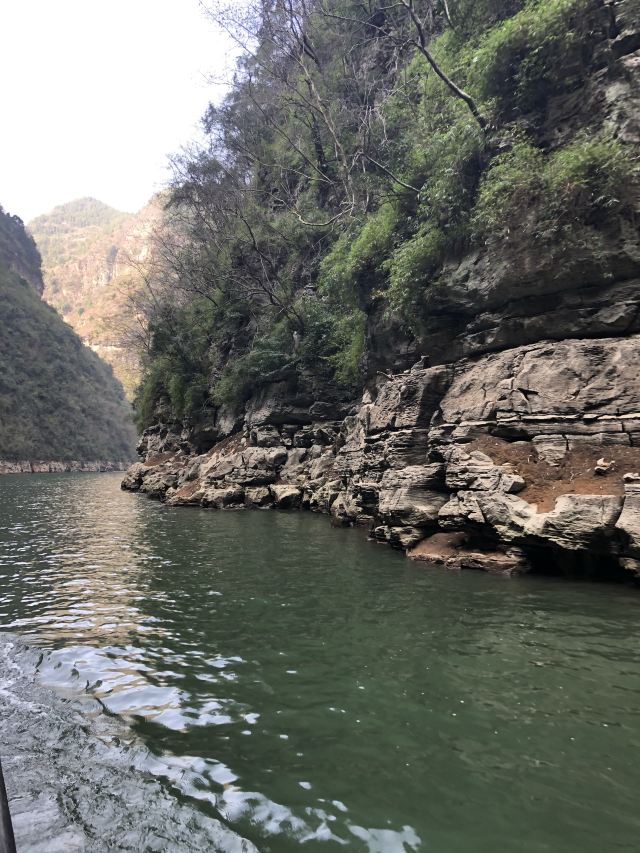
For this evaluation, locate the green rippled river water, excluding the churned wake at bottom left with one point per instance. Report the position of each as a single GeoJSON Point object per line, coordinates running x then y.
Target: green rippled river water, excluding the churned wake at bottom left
{"type": "Point", "coordinates": [311, 689]}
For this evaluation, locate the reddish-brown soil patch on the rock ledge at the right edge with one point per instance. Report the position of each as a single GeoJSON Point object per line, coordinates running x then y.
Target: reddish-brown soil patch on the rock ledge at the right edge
{"type": "Point", "coordinates": [574, 476]}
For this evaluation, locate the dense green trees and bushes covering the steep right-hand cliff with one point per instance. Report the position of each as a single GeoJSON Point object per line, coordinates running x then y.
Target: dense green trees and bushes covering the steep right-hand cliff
{"type": "Point", "coordinates": [359, 148]}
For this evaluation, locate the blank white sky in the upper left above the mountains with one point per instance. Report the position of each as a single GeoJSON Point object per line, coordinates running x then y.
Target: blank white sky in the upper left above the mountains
{"type": "Point", "coordinates": [96, 94]}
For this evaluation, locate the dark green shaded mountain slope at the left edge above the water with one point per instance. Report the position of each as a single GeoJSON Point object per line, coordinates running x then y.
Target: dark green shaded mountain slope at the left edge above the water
{"type": "Point", "coordinates": [58, 400]}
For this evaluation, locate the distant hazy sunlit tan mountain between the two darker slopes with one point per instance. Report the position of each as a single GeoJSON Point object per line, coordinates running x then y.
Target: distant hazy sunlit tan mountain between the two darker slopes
{"type": "Point", "coordinates": [88, 249]}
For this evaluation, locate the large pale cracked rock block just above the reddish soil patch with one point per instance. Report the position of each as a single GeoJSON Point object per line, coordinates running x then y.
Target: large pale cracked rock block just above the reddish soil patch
{"type": "Point", "coordinates": [568, 389]}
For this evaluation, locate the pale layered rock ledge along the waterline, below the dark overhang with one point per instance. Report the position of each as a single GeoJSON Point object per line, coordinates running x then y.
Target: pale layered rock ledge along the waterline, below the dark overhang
{"type": "Point", "coordinates": [528, 459]}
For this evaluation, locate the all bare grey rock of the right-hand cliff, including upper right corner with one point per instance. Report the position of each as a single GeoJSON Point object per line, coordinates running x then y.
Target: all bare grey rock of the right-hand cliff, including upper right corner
{"type": "Point", "coordinates": [503, 431]}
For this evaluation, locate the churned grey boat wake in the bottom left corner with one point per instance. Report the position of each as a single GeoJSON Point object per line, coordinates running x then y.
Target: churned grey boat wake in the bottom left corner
{"type": "Point", "coordinates": [77, 777]}
